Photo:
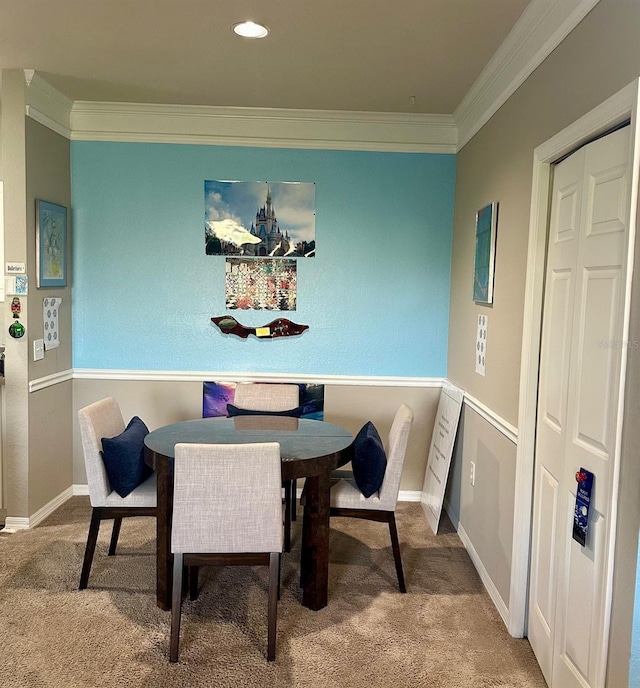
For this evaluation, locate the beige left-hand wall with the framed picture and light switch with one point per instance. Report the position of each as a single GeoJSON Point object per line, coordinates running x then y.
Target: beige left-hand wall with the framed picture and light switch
{"type": "Point", "coordinates": [38, 441]}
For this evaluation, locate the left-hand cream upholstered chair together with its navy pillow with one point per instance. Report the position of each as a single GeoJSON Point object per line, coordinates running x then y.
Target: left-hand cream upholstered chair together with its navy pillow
{"type": "Point", "coordinates": [103, 419]}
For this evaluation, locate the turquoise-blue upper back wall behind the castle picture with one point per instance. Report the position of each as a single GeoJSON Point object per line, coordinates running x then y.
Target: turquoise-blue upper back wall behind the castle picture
{"type": "Point", "coordinates": [375, 297]}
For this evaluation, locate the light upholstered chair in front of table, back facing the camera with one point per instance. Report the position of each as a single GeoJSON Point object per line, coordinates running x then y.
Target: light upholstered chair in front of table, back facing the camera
{"type": "Point", "coordinates": [227, 510]}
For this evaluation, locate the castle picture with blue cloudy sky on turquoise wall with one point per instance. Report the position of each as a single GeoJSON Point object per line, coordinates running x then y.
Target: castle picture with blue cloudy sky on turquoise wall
{"type": "Point", "coordinates": [227, 233]}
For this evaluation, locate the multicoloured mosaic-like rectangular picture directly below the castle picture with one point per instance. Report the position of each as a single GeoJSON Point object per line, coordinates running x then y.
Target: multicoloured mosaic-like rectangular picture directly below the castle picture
{"type": "Point", "coordinates": [261, 284]}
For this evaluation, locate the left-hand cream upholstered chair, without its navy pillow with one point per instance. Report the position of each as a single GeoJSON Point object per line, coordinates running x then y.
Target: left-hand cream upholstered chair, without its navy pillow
{"type": "Point", "coordinates": [103, 419]}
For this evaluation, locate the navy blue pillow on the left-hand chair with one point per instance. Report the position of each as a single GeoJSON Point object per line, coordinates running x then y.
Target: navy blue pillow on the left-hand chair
{"type": "Point", "coordinates": [123, 457]}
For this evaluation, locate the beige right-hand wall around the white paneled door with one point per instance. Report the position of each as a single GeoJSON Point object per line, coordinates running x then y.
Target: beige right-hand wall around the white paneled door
{"type": "Point", "coordinates": [597, 59]}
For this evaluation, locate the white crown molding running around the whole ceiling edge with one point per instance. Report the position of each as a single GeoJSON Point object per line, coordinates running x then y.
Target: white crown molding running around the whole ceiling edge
{"type": "Point", "coordinates": [541, 28]}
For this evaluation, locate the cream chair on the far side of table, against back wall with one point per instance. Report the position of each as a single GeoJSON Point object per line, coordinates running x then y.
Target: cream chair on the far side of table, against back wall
{"type": "Point", "coordinates": [273, 398]}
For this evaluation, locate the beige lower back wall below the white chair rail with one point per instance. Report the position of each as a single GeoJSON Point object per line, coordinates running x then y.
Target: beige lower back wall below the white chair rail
{"type": "Point", "coordinates": [159, 403]}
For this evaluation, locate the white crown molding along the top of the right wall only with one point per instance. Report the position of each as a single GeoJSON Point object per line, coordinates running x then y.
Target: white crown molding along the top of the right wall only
{"type": "Point", "coordinates": [542, 27]}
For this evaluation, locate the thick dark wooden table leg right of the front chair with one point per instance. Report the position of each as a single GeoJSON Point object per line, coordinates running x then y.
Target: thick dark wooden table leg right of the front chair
{"type": "Point", "coordinates": [314, 563]}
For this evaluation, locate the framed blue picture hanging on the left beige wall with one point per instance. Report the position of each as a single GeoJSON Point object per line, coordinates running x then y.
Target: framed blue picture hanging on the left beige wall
{"type": "Point", "coordinates": [51, 244]}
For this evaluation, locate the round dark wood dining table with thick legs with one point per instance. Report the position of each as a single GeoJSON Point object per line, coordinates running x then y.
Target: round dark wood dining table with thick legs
{"type": "Point", "coordinates": [309, 449]}
